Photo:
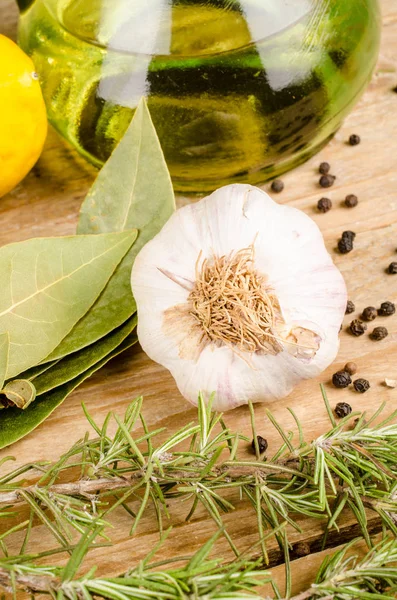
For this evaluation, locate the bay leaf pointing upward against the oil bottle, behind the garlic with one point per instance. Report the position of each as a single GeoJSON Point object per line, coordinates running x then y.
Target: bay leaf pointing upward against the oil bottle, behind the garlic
{"type": "Point", "coordinates": [133, 189]}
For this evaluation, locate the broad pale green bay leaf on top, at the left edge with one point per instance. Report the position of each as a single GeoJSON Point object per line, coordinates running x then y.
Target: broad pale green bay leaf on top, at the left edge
{"type": "Point", "coordinates": [48, 285]}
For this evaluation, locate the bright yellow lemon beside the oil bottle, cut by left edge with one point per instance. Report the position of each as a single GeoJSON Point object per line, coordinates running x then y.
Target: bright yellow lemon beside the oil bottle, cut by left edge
{"type": "Point", "coordinates": [23, 118]}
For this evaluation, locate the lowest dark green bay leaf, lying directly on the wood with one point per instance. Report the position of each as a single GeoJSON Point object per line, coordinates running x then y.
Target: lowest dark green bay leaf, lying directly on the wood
{"type": "Point", "coordinates": [16, 424]}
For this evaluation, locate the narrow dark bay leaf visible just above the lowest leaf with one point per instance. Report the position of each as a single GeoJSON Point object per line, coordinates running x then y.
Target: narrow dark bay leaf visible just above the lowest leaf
{"type": "Point", "coordinates": [76, 363]}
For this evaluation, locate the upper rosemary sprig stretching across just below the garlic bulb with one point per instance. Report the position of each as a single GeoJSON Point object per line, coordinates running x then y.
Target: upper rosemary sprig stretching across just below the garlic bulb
{"type": "Point", "coordinates": [341, 469]}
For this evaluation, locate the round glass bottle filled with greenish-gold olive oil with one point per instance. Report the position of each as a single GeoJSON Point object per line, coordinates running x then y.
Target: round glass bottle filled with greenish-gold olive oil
{"type": "Point", "coordinates": [238, 90]}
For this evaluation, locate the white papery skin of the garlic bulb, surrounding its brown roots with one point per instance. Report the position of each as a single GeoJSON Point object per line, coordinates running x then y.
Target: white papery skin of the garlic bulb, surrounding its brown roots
{"type": "Point", "coordinates": [289, 250]}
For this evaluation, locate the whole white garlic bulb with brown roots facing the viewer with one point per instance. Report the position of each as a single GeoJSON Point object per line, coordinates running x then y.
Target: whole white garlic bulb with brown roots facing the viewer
{"type": "Point", "coordinates": [237, 295]}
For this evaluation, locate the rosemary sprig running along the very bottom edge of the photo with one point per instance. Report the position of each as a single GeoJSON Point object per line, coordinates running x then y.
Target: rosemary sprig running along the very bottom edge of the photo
{"type": "Point", "coordinates": [341, 576]}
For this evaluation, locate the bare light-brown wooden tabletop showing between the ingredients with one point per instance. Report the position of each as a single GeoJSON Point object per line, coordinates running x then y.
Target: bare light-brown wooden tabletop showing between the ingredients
{"type": "Point", "coordinates": [47, 203]}
